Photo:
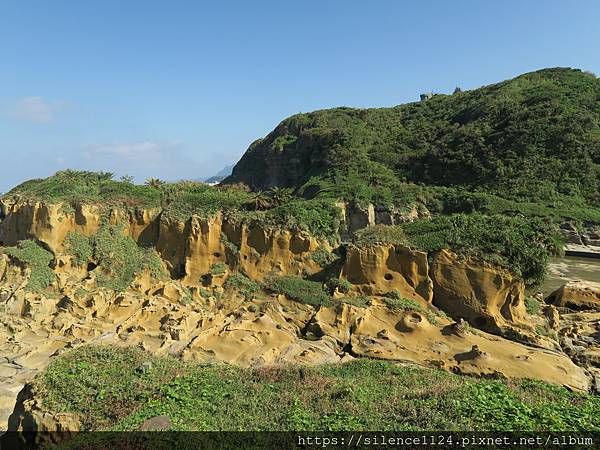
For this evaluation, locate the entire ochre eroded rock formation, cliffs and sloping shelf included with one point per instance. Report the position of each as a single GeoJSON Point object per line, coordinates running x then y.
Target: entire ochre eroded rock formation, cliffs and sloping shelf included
{"type": "Point", "coordinates": [195, 316]}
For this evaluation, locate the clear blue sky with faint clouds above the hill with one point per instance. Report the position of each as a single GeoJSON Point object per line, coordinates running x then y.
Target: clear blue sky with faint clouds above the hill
{"type": "Point", "coordinates": [179, 89]}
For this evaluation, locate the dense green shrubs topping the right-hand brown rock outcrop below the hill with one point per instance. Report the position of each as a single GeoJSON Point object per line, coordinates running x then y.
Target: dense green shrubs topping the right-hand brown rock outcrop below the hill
{"type": "Point", "coordinates": [519, 244]}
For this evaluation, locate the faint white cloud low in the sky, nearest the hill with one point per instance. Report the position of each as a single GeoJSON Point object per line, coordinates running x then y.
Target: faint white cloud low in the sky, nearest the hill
{"type": "Point", "coordinates": [143, 153]}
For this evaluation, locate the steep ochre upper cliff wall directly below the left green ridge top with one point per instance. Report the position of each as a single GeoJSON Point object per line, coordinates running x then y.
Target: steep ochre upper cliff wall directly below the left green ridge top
{"type": "Point", "coordinates": [189, 248]}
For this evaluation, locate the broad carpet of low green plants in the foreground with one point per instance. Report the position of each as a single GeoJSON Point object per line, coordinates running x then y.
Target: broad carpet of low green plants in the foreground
{"type": "Point", "coordinates": [362, 395]}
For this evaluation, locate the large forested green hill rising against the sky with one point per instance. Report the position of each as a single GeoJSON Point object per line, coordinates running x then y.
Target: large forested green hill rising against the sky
{"type": "Point", "coordinates": [535, 138]}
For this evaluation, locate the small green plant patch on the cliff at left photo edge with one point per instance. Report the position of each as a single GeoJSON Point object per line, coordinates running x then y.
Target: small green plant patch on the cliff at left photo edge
{"type": "Point", "coordinates": [37, 259]}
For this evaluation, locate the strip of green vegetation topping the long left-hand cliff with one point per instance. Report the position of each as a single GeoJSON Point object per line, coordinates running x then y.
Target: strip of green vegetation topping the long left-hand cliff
{"type": "Point", "coordinates": [184, 199]}
